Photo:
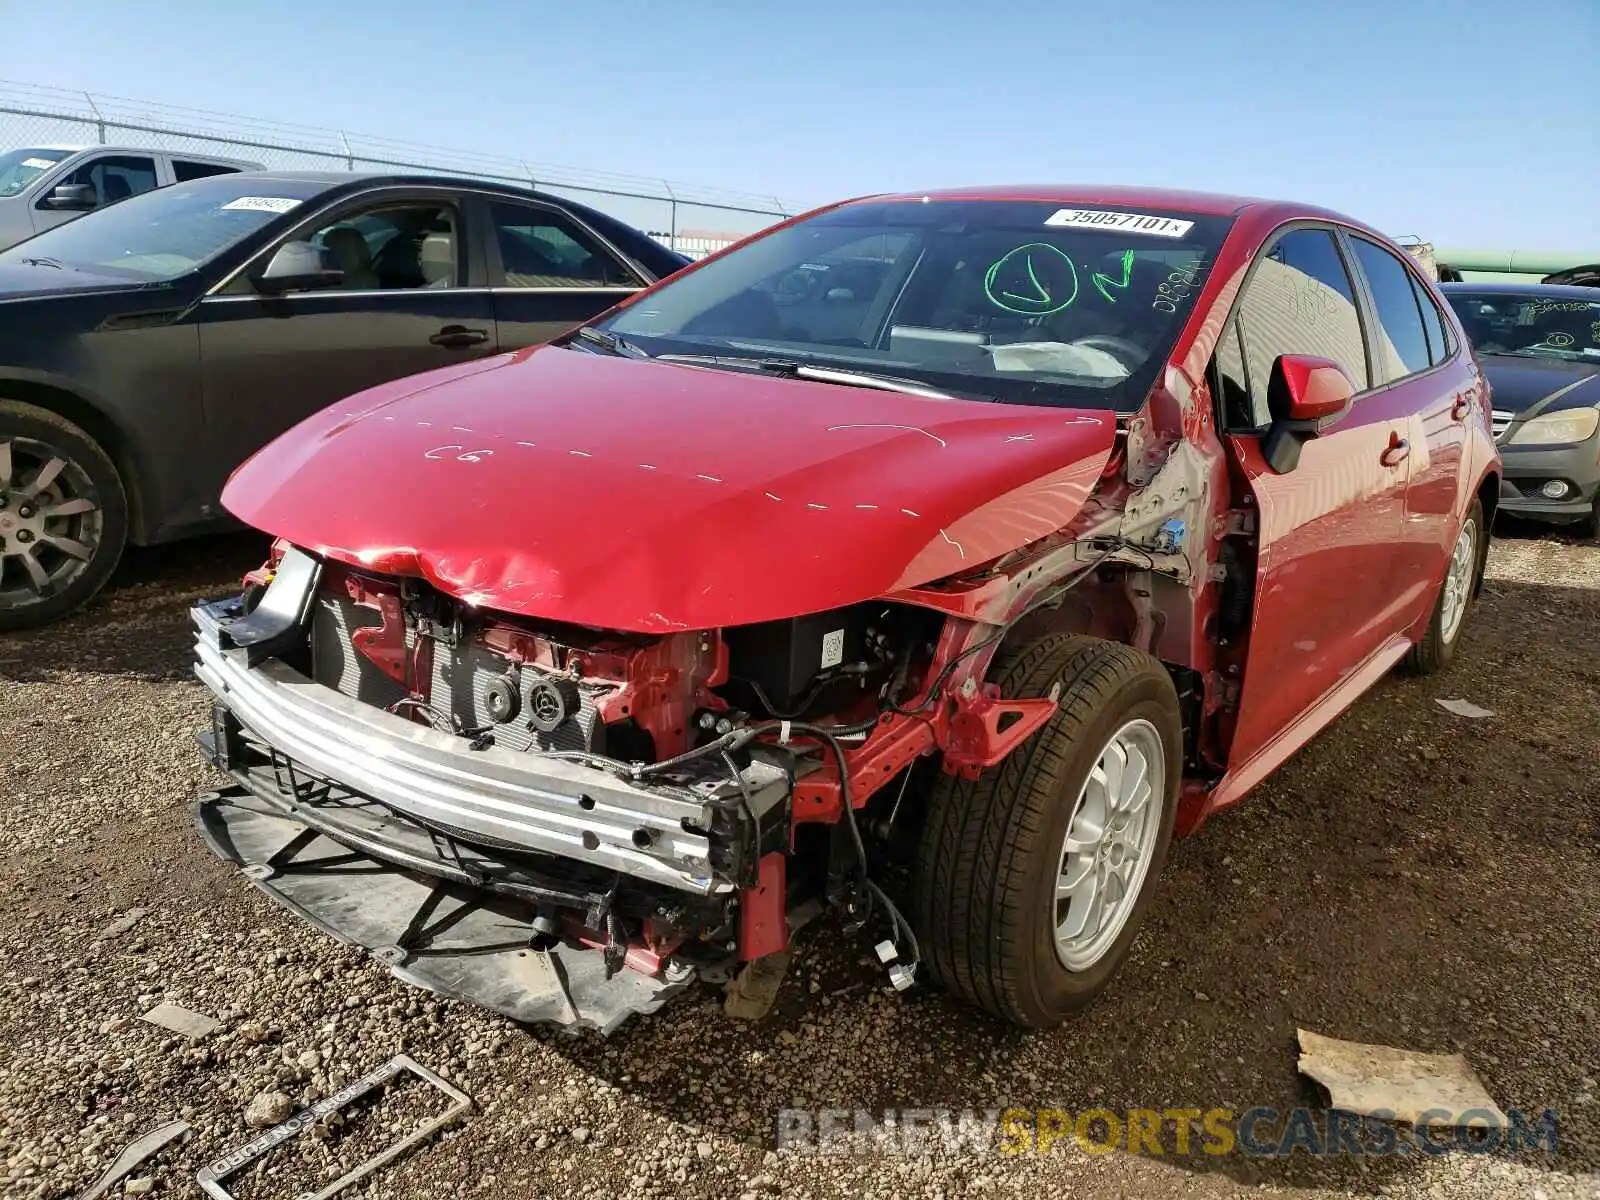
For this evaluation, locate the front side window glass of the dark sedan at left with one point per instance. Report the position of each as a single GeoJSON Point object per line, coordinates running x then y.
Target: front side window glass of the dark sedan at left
{"type": "Point", "coordinates": [396, 247]}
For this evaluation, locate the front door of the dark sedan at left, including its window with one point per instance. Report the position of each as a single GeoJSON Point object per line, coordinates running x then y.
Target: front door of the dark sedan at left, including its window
{"type": "Point", "coordinates": [407, 305]}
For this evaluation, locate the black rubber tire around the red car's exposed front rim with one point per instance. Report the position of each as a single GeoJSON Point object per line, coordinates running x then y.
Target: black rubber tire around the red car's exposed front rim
{"type": "Point", "coordinates": [991, 852]}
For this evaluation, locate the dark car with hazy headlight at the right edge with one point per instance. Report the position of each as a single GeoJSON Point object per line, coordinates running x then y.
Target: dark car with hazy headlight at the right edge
{"type": "Point", "coordinates": [1540, 346]}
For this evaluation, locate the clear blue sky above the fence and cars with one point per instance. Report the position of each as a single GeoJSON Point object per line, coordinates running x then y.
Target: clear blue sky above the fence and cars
{"type": "Point", "coordinates": [1470, 122]}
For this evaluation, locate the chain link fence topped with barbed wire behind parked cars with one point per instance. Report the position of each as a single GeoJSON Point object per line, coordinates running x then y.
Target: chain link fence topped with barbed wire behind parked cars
{"type": "Point", "coordinates": [692, 220]}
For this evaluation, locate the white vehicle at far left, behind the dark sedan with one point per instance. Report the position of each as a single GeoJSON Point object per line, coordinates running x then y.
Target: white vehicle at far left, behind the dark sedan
{"type": "Point", "coordinates": [46, 186]}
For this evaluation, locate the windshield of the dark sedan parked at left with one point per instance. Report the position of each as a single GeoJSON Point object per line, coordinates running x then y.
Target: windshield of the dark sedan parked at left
{"type": "Point", "coordinates": [169, 233]}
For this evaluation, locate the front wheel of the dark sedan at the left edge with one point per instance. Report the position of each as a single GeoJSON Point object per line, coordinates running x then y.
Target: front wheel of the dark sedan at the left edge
{"type": "Point", "coordinates": [63, 516]}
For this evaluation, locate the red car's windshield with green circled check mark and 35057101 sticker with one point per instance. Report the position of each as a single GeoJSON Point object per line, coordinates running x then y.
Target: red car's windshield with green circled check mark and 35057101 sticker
{"type": "Point", "coordinates": [998, 300]}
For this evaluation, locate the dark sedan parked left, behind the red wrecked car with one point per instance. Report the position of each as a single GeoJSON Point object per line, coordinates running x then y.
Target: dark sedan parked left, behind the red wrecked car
{"type": "Point", "coordinates": [150, 348]}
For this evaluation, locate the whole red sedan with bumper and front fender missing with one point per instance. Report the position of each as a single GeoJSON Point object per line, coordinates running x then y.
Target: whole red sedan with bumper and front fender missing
{"type": "Point", "coordinates": [932, 559]}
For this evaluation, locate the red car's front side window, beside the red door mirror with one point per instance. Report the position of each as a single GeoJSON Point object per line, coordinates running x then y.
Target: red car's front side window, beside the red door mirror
{"type": "Point", "coordinates": [1298, 300]}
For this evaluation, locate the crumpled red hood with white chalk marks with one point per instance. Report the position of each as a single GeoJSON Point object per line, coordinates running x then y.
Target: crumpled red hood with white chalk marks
{"type": "Point", "coordinates": [647, 497]}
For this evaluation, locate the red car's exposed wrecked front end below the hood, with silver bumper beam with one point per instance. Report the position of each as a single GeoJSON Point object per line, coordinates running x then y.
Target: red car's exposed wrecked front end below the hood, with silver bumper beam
{"type": "Point", "coordinates": [566, 825]}
